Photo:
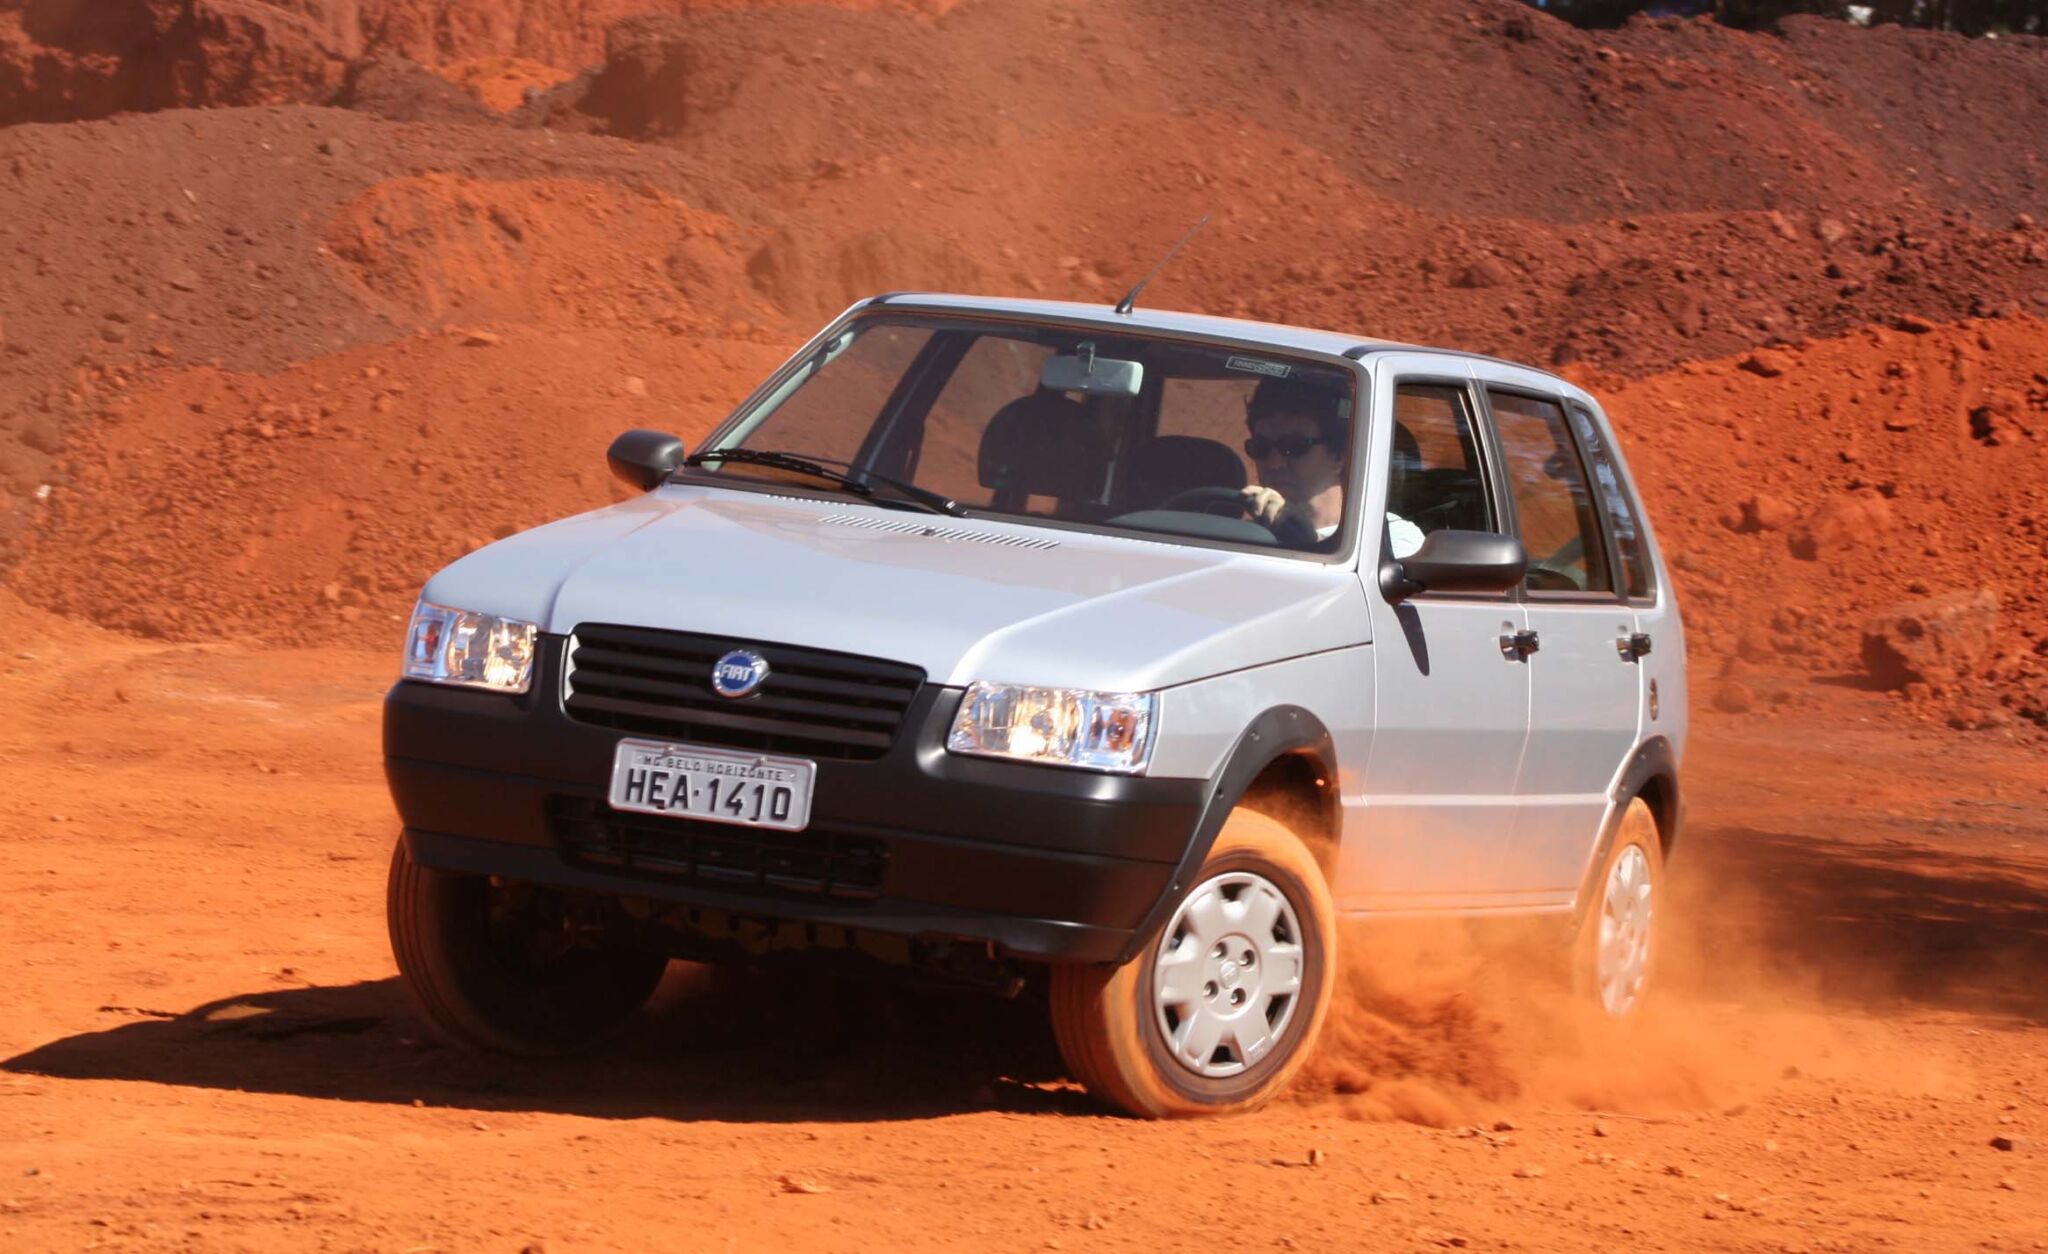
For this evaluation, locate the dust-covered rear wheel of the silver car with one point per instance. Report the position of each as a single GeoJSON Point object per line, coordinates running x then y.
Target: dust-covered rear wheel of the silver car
{"type": "Point", "coordinates": [1623, 919]}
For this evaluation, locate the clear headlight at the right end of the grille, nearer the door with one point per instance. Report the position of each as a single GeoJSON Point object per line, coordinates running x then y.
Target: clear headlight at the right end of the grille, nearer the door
{"type": "Point", "coordinates": [1058, 726]}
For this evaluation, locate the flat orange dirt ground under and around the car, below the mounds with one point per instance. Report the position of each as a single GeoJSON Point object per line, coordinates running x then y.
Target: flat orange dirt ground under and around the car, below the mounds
{"type": "Point", "coordinates": [208, 1048]}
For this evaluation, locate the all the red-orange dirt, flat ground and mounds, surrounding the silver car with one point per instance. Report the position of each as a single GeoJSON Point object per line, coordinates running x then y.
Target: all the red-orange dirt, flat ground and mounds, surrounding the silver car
{"type": "Point", "coordinates": [267, 364]}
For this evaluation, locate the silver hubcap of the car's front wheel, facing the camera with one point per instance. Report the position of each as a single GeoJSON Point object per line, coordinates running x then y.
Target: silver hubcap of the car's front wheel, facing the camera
{"type": "Point", "coordinates": [1230, 974]}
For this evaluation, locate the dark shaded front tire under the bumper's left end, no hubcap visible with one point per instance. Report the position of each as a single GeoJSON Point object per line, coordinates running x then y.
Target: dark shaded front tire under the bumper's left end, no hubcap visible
{"type": "Point", "coordinates": [513, 968]}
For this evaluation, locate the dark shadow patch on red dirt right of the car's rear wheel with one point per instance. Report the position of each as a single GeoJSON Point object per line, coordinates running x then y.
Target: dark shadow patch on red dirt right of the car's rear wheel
{"type": "Point", "coordinates": [1873, 923]}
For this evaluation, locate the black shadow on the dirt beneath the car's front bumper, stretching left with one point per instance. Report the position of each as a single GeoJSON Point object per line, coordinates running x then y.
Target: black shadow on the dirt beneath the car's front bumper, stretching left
{"type": "Point", "coordinates": [708, 1050]}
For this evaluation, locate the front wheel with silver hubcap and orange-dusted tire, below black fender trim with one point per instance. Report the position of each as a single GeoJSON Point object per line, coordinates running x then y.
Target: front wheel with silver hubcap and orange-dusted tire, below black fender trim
{"type": "Point", "coordinates": [1123, 1032]}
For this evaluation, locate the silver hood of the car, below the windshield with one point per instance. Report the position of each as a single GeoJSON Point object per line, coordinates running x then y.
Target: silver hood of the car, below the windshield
{"type": "Point", "coordinates": [959, 597]}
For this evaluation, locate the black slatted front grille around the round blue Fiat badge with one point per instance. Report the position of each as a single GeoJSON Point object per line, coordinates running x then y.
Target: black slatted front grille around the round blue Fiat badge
{"type": "Point", "coordinates": [812, 704]}
